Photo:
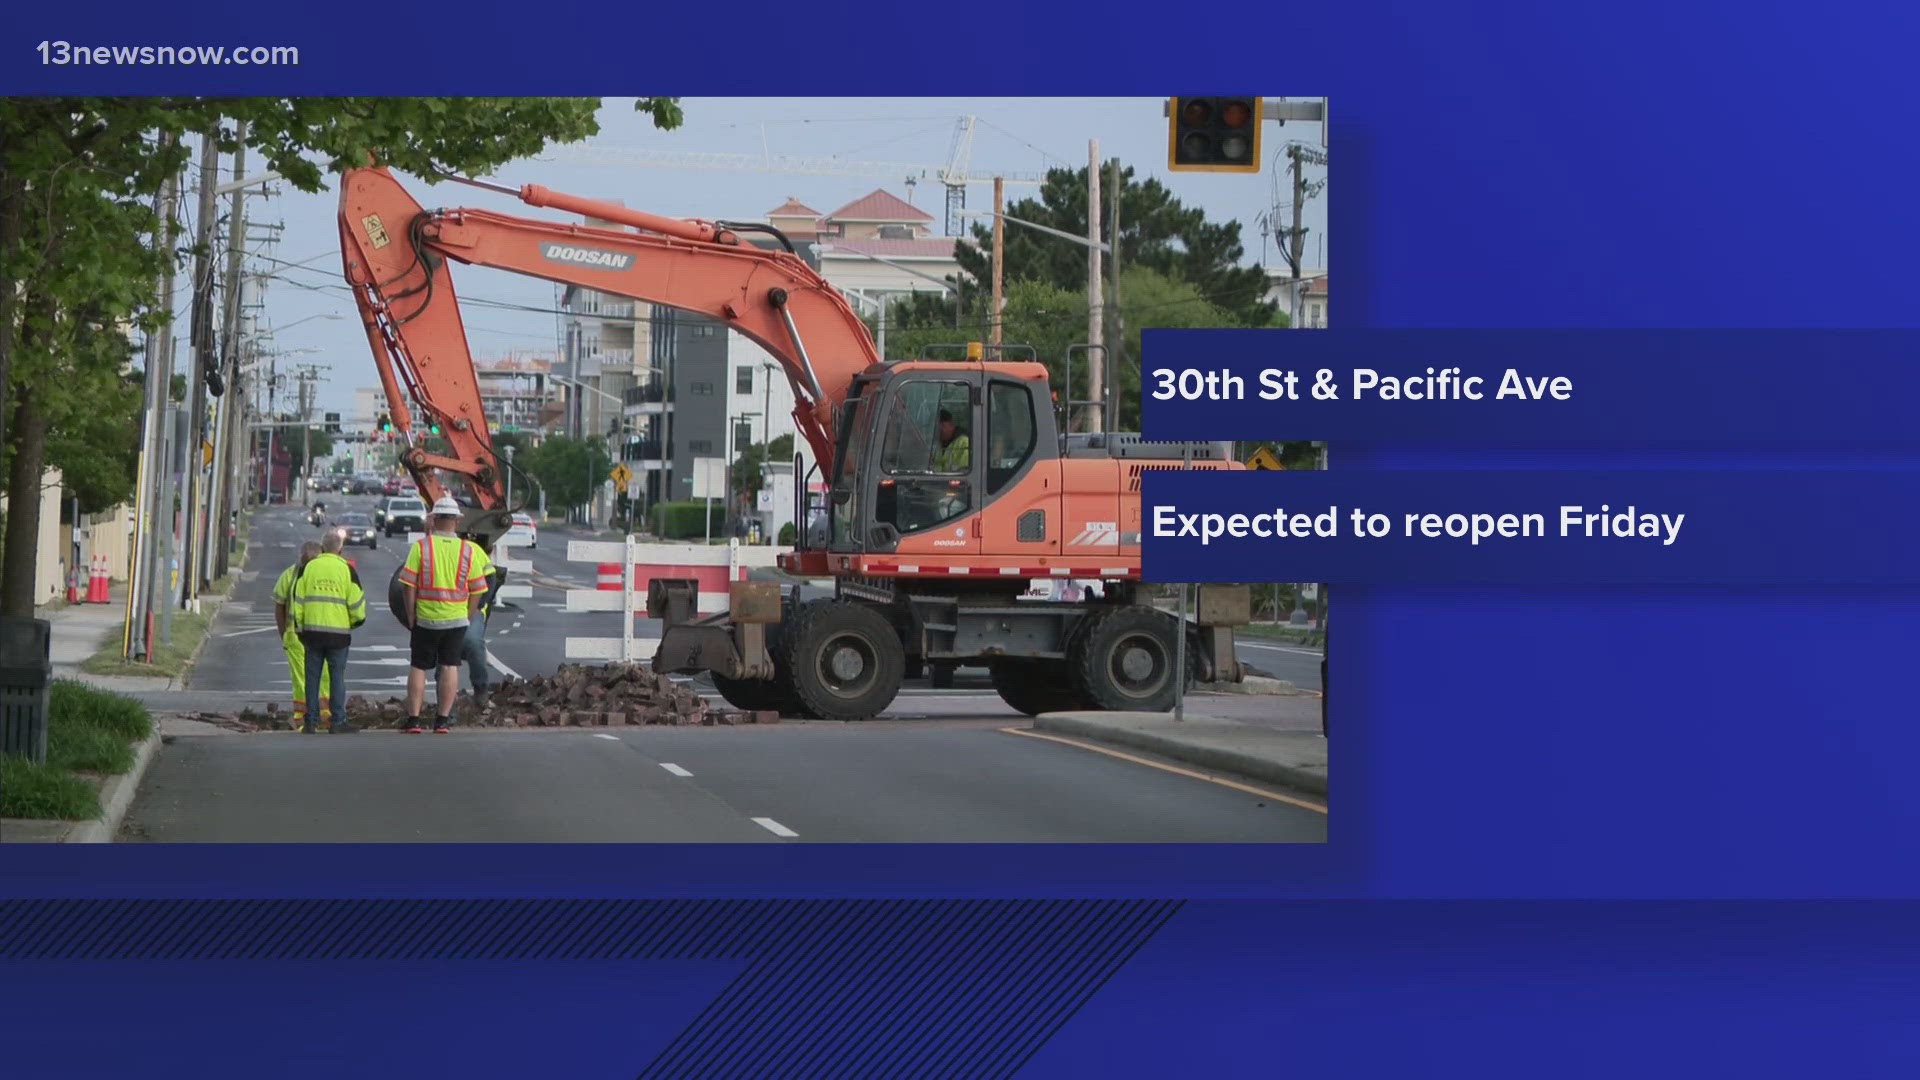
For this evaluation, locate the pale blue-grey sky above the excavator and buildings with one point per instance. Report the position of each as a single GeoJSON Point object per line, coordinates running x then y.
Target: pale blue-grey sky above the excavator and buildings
{"type": "Point", "coordinates": [314, 316]}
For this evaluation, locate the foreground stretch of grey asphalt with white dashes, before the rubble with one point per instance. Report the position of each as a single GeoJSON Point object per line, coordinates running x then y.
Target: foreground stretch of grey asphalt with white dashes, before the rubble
{"type": "Point", "coordinates": [777, 785]}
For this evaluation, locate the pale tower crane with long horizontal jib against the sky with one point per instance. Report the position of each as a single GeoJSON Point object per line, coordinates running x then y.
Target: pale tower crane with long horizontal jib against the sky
{"type": "Point", "coordinates": [955, 176]}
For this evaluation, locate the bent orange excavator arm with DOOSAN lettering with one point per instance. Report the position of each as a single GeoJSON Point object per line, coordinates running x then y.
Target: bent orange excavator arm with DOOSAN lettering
{"type": "Point", "coordinates": [396, 262]}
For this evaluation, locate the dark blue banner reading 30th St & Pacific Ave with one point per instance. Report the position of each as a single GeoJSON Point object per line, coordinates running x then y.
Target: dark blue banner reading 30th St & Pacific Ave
{"type": "Point", "coordinates": [1673, 389]}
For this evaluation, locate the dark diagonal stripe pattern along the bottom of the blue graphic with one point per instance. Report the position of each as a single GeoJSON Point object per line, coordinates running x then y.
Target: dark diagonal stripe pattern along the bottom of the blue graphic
{"type": "Point", "coordinates": [832, 989]}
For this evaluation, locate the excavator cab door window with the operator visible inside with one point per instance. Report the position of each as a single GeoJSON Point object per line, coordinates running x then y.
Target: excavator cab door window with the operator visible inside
{"type": "Point", "coordinates": [928, 464]}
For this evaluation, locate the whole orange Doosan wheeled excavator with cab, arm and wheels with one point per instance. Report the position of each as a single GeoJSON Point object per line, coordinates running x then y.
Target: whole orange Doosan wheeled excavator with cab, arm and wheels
{"type": "Point", "coordinates": [932, 541]}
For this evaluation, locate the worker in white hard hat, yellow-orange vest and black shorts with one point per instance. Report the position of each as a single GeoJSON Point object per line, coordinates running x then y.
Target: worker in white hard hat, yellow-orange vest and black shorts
{"type": "Point", "coordinates": [446, 583]}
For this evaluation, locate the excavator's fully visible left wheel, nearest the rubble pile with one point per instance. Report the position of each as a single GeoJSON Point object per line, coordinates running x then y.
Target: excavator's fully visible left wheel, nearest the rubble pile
{"type": "Point", "coordinates": [844, 658]}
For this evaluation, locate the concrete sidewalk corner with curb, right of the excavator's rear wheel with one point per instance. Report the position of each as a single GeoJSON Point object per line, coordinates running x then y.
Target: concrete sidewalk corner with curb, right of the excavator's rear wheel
{"type": "Point", "coordinates": [1287, 758]}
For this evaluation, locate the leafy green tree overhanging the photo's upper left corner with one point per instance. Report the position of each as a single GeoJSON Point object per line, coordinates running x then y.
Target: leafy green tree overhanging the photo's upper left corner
{"type": "Point", "coordinates": [78, 232]}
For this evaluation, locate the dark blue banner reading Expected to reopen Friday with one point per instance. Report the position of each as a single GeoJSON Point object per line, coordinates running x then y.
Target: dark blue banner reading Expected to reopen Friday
{"type": "Point", "coordinates": [1735, 528]}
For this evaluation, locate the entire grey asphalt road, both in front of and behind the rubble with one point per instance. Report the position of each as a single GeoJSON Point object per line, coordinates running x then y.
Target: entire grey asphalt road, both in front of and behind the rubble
{"type": "Point", "coordinates": [944, 766]}
